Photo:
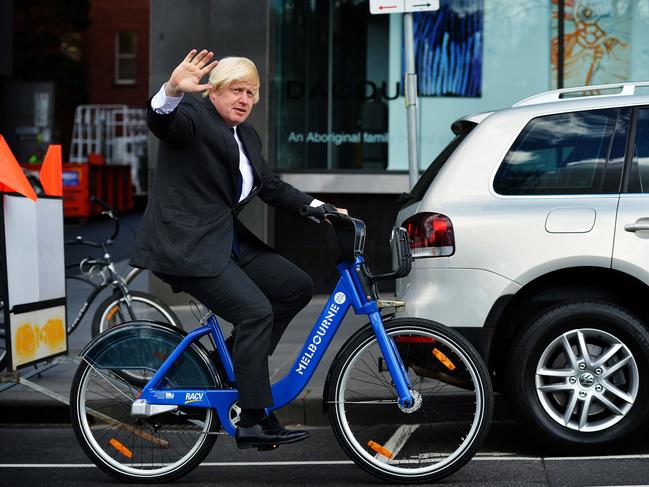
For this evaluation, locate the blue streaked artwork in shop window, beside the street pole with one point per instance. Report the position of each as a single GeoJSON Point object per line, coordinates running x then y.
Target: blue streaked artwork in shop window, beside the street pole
{"type": "Point", "coordinates": [448, 49]}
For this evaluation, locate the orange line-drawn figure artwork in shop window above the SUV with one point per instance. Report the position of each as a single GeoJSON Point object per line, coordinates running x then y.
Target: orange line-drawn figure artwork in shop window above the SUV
{"type": "Point", "coordinates": [596, 42]}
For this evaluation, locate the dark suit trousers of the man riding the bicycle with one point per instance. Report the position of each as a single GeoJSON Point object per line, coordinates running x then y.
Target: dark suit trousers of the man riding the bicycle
{"type": "Point", "coordinates": [259, 294]}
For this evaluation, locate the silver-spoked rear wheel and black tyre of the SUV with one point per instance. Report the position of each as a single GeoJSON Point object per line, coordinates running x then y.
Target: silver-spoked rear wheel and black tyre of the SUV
{"type": "Point", "coordinates": [579, 374]}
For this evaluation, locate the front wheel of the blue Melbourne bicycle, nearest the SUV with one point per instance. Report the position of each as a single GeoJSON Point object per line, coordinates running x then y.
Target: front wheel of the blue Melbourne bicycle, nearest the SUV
{"type": "Point", "coordinates": [443, 430]}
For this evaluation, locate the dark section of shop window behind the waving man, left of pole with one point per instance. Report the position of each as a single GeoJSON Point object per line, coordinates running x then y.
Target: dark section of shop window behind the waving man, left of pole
{"type": "Point", "coordinates": [331, 86]}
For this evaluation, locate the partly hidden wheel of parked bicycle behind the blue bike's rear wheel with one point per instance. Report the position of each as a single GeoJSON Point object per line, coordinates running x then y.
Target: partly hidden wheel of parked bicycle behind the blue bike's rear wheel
{"type": "Point", "coordinates": [147, 306]}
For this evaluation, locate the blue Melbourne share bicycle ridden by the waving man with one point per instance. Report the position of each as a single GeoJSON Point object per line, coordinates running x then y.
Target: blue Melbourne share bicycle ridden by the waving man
{"type": "Point", "coordinates": [408, 399]}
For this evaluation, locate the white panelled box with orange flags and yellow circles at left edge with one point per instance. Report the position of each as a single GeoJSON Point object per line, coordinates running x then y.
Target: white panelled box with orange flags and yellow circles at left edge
{"type": "Point", "coordinates": [32, 277]}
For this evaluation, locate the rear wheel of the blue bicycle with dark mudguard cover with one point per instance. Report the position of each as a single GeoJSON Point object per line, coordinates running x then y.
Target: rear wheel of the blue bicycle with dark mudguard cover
{"type": "Point", "coordinates": [161, 448]}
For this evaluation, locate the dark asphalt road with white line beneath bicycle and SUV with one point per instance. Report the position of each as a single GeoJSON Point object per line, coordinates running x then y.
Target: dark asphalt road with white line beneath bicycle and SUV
{"type": "Point", "coordinates": [47, 455]}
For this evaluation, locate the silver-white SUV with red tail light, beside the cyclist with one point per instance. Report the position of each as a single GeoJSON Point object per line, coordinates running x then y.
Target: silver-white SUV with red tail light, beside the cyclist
{"type": "Point", "coordinates": [530, 233]}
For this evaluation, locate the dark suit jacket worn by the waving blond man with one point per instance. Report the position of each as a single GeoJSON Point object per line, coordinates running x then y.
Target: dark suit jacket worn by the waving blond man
{"type": "Point", "coordinates": [187, 226]}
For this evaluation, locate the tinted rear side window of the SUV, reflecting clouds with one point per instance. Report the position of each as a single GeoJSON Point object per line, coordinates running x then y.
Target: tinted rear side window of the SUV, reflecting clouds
{"type": "Point", "coordinates": [563, 153]}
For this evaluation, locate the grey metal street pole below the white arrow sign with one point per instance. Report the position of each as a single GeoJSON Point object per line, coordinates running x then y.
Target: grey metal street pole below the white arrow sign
{"type": "Point", "coordinates": [410, 84]}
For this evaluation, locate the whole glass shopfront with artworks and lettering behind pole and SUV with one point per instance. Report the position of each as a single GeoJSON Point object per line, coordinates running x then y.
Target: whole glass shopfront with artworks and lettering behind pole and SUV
{"type": "Point", "coordinates": [337, 94]}
